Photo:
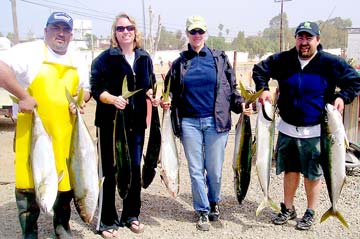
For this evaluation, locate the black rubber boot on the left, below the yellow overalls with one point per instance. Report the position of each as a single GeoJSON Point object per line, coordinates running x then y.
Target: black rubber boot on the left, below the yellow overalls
{"type": "Point", "coordinates": [29, 213]}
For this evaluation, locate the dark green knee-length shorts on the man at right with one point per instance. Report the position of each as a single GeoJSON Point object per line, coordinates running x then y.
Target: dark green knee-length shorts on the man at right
{"type": "Point", "coordinates": [298, 155]}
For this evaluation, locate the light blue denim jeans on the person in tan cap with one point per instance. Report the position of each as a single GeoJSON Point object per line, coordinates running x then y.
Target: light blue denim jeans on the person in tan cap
{"type": "Point", "coordinates": [204, 150]}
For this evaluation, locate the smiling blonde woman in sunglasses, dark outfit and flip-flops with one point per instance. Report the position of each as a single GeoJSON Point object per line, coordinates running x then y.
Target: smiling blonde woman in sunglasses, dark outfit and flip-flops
{"type": "Point", "coordinates": [125, 59]}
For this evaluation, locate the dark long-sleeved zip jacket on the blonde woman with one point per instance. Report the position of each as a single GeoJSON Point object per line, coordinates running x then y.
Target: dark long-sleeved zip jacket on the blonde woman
{"type": "Point", "coordinates": [107, 73]}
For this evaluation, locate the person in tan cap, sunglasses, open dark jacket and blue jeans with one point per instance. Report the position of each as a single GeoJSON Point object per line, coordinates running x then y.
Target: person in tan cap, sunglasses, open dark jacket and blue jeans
{"type": "Point", "coordinates": [203, 93]}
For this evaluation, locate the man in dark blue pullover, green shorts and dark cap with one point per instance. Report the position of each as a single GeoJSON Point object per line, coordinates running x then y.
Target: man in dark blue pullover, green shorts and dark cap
{"type": "Point", "coordinates": [307, 78]}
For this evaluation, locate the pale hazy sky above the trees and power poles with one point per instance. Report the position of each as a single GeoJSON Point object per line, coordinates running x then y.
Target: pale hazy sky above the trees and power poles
{"type": "Point", "coordinates": [250, 16]}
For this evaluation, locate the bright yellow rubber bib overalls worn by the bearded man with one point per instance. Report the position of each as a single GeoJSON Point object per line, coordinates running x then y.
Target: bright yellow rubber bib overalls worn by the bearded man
{"type": "Point", "coordinates": [48, 88]}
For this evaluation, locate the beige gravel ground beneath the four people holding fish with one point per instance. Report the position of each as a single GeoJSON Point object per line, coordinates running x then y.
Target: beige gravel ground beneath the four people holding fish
{"type": "Point", "coordinates": [166, 217]}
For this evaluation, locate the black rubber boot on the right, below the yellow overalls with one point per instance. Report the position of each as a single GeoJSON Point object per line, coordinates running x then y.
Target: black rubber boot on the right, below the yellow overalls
{"type": "Point", "coordinates": [62, 212]}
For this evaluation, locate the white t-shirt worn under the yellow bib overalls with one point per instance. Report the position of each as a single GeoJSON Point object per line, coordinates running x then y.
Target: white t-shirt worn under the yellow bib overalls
{"type": "Point", "coordinates": [26, 59]}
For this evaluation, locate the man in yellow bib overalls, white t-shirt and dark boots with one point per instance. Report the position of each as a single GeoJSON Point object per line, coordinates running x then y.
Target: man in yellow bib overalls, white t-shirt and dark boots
{"type": "Point", "coordinates": [46, 68]}
